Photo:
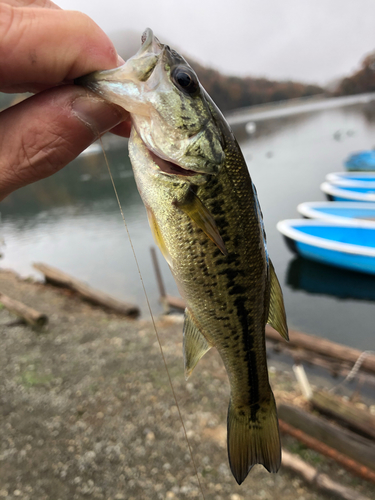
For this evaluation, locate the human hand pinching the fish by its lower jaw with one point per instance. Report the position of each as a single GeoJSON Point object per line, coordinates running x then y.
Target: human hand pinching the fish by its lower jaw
{"type": "Point", "coordinates": [43, 49]}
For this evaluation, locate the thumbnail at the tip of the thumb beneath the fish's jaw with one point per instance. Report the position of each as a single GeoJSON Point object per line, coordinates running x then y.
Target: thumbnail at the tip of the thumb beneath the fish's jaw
{"type": "Point", "coordinates": [100, 116]}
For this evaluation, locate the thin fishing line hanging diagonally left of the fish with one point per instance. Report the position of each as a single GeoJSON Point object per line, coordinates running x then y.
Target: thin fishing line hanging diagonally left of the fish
{"type": "Point", "coordinates": [152, 318]}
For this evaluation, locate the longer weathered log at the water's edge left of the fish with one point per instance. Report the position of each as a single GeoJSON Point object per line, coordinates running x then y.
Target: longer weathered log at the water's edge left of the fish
{"type": "Point", "coordinates": [59, 278]}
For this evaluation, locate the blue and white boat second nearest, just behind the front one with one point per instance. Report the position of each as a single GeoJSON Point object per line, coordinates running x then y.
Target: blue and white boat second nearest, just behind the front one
{"type": "Point", "coordinates": [339, 211]}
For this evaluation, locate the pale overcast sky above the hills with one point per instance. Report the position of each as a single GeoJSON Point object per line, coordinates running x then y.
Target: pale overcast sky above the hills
{"type": "Point", "coordinates": [308, 40]}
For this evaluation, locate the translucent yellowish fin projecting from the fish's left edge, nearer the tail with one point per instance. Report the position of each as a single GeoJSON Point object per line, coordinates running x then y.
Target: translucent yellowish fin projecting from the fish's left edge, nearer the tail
{"type": "Point", "coordinates": [195, 345]}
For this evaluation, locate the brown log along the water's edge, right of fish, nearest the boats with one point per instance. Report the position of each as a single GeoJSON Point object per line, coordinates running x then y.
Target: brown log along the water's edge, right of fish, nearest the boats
{"type": "Point", "coordinates": [323, 347]}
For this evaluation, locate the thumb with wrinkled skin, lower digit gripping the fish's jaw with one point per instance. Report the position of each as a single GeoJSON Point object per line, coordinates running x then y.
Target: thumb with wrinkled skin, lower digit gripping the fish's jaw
{"type": "Point", "coordinates": [42, 134]}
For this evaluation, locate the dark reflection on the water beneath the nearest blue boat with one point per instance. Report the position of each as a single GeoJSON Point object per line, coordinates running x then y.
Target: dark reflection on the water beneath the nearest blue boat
{"type": "Point", "coordinates": [316, 278]}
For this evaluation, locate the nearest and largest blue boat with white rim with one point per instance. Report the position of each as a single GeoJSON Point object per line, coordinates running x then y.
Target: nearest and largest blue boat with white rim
{"type": "Point", "coordinates": [342, 245]}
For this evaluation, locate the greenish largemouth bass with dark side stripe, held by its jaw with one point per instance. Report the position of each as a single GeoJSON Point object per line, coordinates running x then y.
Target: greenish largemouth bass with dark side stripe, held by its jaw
{"type": "Point", "coordinates": [205, 217]}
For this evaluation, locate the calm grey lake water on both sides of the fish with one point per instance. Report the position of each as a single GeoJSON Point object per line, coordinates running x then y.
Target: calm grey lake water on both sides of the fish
{"type": "Point", "coordinates": [72, 221]}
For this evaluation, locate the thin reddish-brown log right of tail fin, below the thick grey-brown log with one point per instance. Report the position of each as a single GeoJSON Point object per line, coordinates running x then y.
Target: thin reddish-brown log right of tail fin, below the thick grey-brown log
{"type": "Point", "coordinates": [347, 463]}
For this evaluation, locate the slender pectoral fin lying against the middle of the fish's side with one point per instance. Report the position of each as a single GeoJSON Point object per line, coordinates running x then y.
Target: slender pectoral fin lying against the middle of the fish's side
{"type": "Point", "coordinates": [194, 208]}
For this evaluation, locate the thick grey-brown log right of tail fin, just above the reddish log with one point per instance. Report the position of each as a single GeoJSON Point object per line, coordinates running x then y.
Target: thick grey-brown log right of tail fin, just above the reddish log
{"type": "Point", "coordinates": [344, 441]}
